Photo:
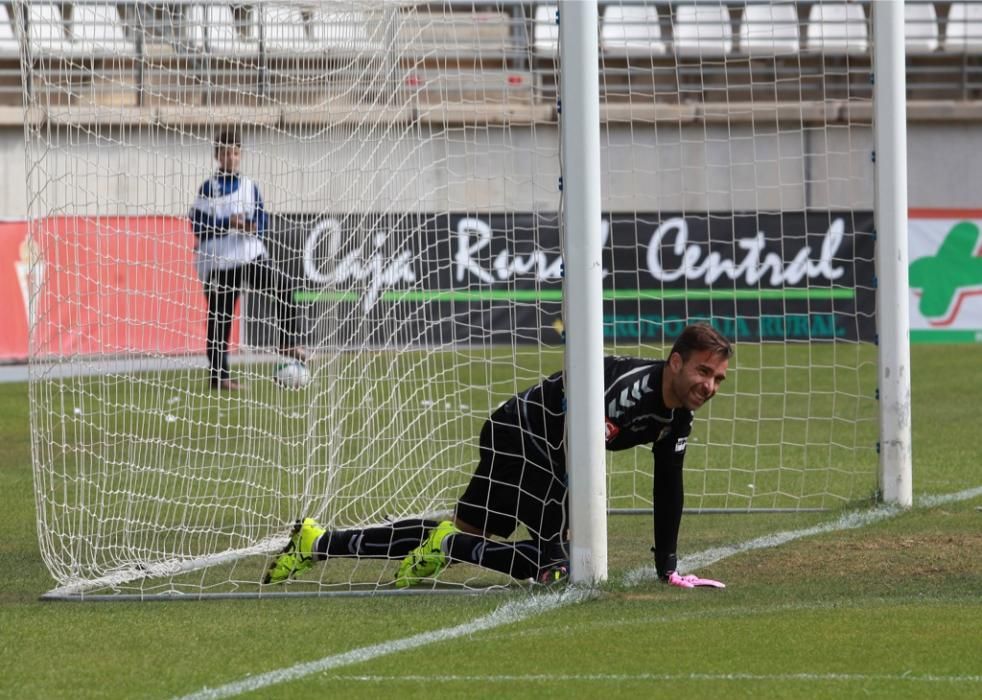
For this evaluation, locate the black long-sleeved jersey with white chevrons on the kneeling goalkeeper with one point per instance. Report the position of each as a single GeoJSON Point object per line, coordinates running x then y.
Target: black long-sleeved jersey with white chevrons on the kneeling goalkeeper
{"type": "Point", "coordinates": [635, 414]}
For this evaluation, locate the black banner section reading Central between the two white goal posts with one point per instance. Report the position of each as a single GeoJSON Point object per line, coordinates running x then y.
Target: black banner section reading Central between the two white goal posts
{"type": "Point", "coordinates": [785, 276]}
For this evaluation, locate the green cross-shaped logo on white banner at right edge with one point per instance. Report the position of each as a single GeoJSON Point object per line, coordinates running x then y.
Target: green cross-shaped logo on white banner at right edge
{"type": "Point", "coordinates": [953, 272]}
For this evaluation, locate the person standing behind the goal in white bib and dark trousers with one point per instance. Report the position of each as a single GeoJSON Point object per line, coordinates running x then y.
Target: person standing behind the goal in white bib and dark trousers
{"type": "Point", "coordinates": [229, 221]}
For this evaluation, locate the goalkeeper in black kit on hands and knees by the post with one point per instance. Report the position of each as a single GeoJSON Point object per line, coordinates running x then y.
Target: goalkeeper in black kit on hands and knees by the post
{"type": "Point", "coordinates": [521, 476]}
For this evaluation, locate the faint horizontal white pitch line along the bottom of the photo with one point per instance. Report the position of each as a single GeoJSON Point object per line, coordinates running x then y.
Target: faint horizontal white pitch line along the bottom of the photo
{"type": "Point", "coordinates": [627, 677]}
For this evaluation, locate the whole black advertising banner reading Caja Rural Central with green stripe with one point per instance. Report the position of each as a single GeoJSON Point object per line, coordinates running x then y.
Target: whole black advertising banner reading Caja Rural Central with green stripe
{"type": "Point", "coordinates": [414, 280]}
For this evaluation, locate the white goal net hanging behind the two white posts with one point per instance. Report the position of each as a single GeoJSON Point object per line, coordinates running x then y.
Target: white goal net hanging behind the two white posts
{"type": "Point", "coordinates": [408, 158]}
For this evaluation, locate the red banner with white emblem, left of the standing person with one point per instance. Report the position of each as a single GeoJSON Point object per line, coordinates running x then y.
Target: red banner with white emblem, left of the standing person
{"type": "Point", "coordinates": [101, 286]}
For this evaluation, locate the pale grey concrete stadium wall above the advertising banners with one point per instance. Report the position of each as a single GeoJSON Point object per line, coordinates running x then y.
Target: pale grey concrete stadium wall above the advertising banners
{"type": "Point", "coordinates": [140, 170]}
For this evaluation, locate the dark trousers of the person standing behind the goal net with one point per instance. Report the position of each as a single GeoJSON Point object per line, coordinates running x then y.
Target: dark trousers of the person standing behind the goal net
{"type": "Point", "coordinates": [223, 289]}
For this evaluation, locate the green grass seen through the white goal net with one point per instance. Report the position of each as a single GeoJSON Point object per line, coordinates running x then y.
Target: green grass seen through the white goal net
{"type": "Point", "coordinates": [154, 468]}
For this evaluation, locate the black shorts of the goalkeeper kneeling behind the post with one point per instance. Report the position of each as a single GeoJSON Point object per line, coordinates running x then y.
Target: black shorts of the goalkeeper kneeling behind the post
{"type": "Point", "coordinates": [514, 484]}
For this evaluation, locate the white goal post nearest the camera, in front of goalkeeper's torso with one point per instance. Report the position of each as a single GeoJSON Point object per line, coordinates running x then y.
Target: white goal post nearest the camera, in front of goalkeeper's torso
{"type": "Point", "coordinates": [579, 124]}
